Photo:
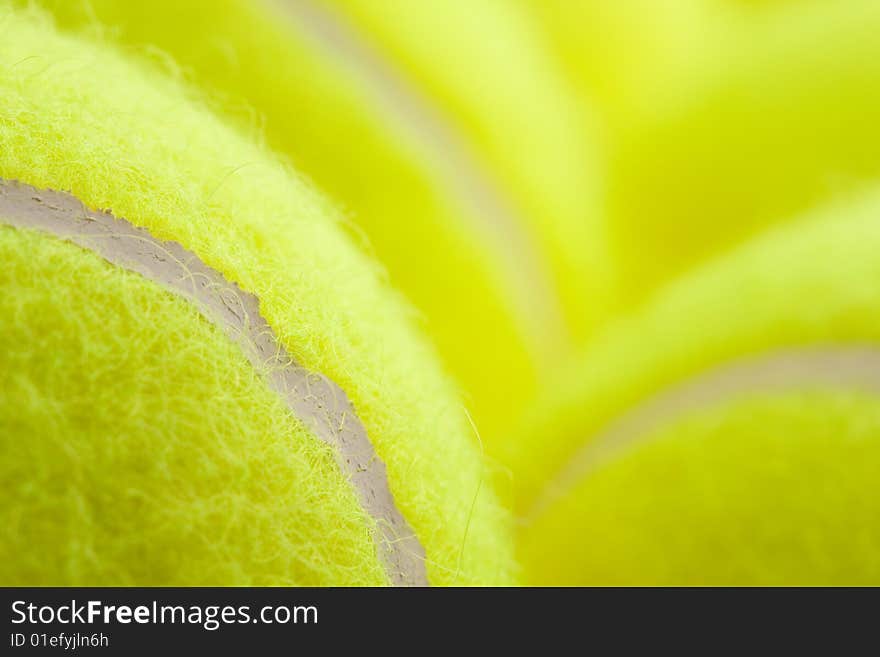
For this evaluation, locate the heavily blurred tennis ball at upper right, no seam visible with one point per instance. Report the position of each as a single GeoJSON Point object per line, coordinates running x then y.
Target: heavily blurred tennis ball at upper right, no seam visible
{"type": "Point", "coordinates": [779, 120]}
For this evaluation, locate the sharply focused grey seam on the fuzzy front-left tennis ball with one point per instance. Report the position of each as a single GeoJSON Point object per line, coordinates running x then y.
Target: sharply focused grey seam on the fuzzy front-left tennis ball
{"type": "Point", "coordinates": [318, 402]}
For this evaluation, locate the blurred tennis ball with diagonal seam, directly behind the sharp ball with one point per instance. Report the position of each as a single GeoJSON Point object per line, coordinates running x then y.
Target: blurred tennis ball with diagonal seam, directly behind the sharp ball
{"type": "Point", "coordinates": [448, 134]}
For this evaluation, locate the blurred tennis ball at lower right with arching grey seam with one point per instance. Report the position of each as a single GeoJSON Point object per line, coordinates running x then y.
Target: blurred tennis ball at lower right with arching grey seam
{"type": "Point", "coordinates": [727, 434]}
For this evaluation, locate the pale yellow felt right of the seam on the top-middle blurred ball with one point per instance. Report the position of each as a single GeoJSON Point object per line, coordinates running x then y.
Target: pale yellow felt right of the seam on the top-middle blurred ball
{"type": "Point", "coordinates": [491, 71]}
